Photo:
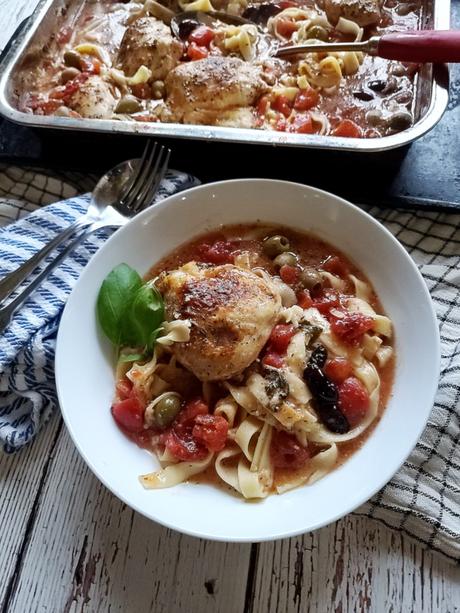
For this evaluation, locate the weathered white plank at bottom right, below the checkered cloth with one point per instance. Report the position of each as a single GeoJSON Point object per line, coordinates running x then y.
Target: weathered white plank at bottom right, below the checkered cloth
{"type": "Point", "coordinates": [353, 565]}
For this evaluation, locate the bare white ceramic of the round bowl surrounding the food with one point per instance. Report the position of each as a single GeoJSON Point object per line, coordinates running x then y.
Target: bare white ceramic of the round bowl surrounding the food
{"type": "Point", "coordinates": [85, 376]}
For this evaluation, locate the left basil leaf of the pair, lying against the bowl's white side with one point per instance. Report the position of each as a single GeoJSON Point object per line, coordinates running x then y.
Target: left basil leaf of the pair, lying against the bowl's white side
{"type": "Point", "coordinates": [114, 298]}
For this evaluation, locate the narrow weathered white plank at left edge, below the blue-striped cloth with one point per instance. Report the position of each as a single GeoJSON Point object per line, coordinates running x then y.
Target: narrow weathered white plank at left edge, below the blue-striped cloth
{"type": "Point", "coordinates": [21, 482]}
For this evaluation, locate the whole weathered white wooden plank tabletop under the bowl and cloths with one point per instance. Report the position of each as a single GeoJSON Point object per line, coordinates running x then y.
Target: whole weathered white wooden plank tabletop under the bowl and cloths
{"type": "Point", "coordinates": [67, 544]}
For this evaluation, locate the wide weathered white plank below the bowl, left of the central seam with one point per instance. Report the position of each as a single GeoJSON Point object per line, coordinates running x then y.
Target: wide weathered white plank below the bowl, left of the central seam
{"type": "Point", "coordinates": [89, 552]}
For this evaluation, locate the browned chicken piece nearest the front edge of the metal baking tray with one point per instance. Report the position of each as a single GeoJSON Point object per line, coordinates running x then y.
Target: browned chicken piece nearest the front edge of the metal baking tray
{"type": "Point", "coordinates": [214, 84]}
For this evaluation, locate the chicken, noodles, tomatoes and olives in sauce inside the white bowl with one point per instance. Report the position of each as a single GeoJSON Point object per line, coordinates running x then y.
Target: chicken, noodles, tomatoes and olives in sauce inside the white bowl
{"type": "Point", "coordinates": [271, 365]}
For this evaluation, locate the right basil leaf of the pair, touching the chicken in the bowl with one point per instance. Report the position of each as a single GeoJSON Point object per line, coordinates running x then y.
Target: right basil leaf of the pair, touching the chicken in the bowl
{"type": "Point", "coordinates": [144, 315]}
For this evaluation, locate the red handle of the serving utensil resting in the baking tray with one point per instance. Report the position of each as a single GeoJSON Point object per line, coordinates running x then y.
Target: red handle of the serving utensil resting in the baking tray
{"type": "Point", "coordinates": [421, 46]}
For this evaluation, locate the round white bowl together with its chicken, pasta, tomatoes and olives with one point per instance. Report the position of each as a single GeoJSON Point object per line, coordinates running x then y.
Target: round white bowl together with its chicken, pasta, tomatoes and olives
{"type": "Point", "coordinates": [258, 363]}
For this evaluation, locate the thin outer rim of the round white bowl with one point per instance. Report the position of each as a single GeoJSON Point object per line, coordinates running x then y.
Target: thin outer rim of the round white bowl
{"type": "Point", "coordinates": [385, 475]}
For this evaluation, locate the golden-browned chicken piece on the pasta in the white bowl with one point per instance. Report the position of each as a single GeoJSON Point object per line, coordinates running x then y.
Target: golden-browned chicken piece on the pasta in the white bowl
{"type": "Point", "coordinates": [232, 312]}
